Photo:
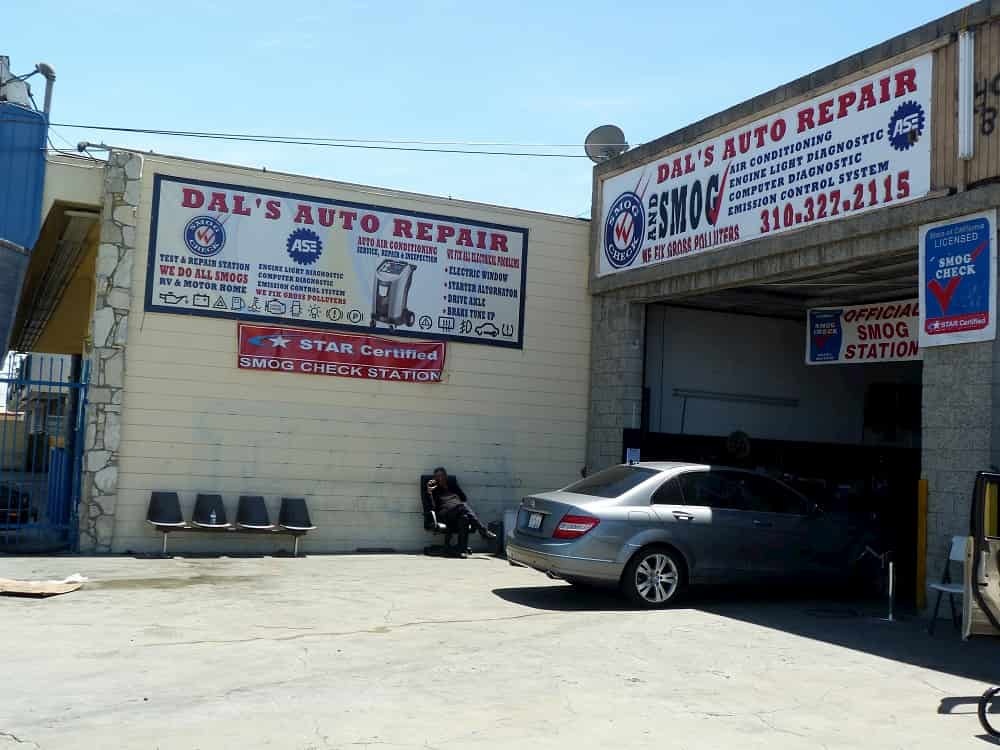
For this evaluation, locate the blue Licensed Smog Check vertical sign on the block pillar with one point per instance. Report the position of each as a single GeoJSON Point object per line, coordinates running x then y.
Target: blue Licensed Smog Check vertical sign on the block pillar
{"type": "Point", "coordinates": [958, 273]}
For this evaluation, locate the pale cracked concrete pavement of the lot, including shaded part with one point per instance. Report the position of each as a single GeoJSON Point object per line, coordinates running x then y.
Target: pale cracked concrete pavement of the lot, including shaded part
{"type": "Point", "coordinates": [414, 652]}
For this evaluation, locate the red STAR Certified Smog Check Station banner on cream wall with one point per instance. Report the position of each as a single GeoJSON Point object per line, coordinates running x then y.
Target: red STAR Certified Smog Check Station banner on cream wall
{"type": "Point", "coordinates": [284, 349]}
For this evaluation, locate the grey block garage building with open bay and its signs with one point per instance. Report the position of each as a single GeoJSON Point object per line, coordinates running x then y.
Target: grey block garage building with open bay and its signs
{"type": "Point", "coordinates": [758, 296]}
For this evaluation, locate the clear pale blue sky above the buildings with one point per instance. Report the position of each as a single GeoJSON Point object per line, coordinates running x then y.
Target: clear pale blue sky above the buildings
{"type": "Point", "coordinates": [467, 71]}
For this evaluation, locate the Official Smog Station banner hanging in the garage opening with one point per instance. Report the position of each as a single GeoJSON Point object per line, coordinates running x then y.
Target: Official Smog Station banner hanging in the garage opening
{"type": "Point", "coordinates": [880, 332]}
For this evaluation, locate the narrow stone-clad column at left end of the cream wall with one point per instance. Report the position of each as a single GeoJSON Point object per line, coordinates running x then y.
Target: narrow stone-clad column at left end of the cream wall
{"type": "Point", "coordinates": [106, 349]}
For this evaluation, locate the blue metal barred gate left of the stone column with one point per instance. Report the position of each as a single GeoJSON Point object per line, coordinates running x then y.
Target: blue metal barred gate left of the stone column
{"type": "Point", "coordinates": [43, 409]}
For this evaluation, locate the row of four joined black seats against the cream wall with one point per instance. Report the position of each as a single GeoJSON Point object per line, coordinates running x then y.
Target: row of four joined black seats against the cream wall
{"type": "Point", "coordinates": [210, 515]}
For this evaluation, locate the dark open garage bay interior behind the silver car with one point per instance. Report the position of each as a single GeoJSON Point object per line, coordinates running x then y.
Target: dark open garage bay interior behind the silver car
{"type": "Point", "coordinates": [726, 383]}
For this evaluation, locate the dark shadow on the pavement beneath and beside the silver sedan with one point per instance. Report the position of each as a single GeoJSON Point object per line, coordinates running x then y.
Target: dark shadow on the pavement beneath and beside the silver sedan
{"type": "Point", "coordinates": [832, 618]}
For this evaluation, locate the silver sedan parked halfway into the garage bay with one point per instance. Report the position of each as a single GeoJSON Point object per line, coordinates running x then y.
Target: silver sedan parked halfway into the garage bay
{"type": "Point", "coordinates": [652, 529]}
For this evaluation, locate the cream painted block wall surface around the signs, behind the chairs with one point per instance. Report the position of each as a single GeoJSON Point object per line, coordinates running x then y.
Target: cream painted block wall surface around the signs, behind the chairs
{"type": "Point", "coordinates": [508, 422]}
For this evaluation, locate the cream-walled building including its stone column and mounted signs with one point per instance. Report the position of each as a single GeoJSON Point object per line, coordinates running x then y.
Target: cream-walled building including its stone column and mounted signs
{"type": "Point", "coordinates": [257, 333]}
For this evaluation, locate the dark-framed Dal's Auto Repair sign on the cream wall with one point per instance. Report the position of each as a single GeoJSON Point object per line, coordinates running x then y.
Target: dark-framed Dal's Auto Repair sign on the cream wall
{"type": "Point", "coordinates": [237, 251]}
